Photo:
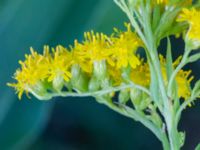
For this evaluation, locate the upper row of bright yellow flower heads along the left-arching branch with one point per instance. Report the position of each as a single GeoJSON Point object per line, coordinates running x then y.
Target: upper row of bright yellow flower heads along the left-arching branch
{"type": "Point", "coordinates": [54, 67]}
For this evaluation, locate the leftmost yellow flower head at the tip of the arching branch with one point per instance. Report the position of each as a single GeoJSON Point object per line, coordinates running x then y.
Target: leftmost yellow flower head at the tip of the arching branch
{"type": "Point", "coordinates": [33, 70]}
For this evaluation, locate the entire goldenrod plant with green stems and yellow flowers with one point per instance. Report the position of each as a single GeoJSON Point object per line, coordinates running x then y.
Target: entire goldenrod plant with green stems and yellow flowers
{"type": "Point", "coordinates": [153, 89]}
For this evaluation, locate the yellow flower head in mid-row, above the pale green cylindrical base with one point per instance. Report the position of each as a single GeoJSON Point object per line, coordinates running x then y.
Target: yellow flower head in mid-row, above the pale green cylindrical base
{"type": "Point", "coordinates": [95, 47]}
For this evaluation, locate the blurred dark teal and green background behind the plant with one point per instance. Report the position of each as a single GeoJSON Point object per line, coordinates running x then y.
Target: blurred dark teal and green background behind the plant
{"type": "Point", "coordinates": [67, 123]}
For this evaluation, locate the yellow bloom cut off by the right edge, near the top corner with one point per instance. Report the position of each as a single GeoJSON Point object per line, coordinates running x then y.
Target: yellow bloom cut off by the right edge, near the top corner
{"type": "Point", "coordinates": [192, 17]}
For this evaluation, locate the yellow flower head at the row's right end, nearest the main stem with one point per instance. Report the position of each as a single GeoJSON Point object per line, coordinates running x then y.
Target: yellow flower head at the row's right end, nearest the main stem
{"type": "Point", "coordinates": [124, 48]}
